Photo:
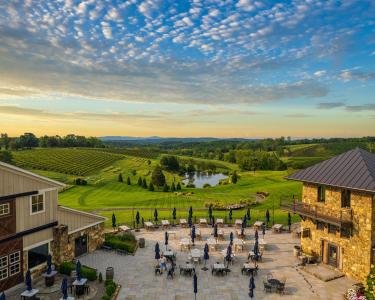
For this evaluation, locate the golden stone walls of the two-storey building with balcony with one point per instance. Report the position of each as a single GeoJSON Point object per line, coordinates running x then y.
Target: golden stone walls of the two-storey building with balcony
{"type": "Point", "coordinates": [356, 250]}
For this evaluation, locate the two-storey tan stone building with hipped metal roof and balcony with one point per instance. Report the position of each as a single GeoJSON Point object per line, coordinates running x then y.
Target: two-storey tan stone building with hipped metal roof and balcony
{"type": "Point", "coordinates": [338, 211]}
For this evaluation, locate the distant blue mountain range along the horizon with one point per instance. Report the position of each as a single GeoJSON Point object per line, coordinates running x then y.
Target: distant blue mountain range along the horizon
{"type": "Point", "coordinates": [157, 139]}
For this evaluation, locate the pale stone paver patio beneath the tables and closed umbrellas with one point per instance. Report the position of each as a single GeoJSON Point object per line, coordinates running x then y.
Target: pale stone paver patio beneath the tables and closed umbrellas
{"type": "Point", "coordinates": [136, 273]}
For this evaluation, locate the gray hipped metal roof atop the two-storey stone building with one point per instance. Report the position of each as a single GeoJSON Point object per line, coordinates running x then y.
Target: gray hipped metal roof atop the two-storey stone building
{"type": "Point", "coordinates": [354, 169]}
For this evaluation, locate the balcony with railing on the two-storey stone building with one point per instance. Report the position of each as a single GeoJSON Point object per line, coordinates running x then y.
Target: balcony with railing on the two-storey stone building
{"type": "Point", "coordinates": [341, 218]}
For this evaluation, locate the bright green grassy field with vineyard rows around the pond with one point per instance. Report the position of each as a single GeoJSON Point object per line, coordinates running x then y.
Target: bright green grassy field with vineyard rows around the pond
{"type": "Point", "coordinates": [105, 195]}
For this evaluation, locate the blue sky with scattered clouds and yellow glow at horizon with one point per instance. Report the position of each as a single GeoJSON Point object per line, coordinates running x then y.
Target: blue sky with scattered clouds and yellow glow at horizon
{"type": "Point", "coordinates": [220, 68]}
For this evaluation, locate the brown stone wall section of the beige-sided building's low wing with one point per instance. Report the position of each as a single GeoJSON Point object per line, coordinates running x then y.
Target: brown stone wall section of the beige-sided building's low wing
{"type": "Point", "coordinates": [63, 243]}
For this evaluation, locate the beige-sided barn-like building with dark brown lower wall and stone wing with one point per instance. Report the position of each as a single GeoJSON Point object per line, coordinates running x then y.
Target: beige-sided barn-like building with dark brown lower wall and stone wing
{"type": "Point", "coordinates": [33, 225]}
